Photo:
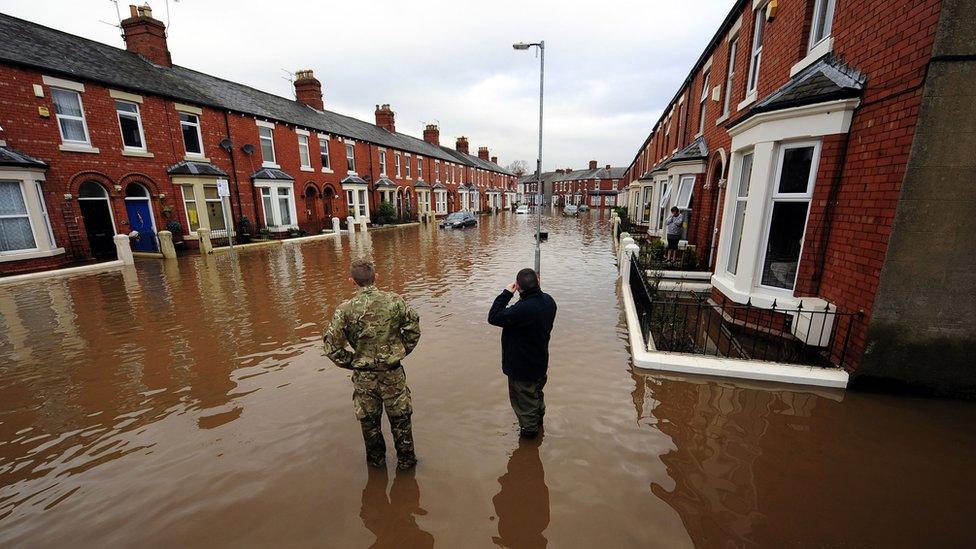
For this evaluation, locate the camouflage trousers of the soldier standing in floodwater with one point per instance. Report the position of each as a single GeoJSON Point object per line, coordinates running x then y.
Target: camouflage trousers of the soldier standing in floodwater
{"type": "Point", "coordinates": [372, 392]}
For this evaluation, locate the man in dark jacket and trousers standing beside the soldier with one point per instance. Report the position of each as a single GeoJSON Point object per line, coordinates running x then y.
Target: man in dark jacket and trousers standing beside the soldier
{"type": "Point", "coordinates": [525, 346]}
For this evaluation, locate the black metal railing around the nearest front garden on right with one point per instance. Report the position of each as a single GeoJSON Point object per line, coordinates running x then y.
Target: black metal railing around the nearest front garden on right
{"type": "Point", "coordinates": [694, 323]}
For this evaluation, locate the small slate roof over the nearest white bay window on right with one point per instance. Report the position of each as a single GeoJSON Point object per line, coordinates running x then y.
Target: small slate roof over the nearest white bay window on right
{"type": "Point", "coordinates": [825, 80]}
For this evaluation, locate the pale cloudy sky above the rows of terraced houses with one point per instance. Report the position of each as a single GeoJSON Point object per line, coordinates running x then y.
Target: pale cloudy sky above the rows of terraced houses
{"type": "Point", "coordinates": [611, 65]}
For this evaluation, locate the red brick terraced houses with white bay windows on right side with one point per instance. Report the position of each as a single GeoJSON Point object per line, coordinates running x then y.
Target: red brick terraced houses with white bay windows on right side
{"type": "Point", "coordinates": [810, 150]}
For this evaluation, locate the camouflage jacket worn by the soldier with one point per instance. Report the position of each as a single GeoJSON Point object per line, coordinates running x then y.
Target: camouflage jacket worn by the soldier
{"type": "Point", "coordinates": [379, 328]}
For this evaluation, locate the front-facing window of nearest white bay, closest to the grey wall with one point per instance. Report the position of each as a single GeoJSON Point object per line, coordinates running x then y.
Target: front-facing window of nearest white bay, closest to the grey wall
{"type": "Point", "coordinates": [788, 215]}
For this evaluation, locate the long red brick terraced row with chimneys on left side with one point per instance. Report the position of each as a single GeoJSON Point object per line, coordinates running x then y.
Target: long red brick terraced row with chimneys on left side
{"type": "Point", "coordinates": [97, 141]}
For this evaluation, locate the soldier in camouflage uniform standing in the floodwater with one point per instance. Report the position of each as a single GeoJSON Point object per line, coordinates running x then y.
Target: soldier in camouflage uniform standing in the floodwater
{"type": "Point", "coordinates": [370, 334]}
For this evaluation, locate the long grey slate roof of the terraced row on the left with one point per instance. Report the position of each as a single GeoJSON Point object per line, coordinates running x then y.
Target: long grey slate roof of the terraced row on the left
{"type": "Point", "coordinates": [58, 53]}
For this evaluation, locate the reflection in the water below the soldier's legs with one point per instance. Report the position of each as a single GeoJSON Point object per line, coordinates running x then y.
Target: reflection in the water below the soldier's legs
{"type": "Point", "coordinates": [392, 519]}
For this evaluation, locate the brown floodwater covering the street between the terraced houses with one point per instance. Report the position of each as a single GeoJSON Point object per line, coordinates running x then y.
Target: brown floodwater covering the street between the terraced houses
{"type": "Point", "coordinates": [188, 403]}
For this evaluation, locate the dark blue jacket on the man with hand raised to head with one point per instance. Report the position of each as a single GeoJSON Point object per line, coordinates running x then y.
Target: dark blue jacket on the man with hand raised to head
{"type": "Point", "coordinates": [525, 332]}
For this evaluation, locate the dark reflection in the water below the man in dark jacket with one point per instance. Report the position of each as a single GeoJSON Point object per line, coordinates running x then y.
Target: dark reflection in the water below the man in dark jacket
{"type": "Point", "coordinates": [522, 503]}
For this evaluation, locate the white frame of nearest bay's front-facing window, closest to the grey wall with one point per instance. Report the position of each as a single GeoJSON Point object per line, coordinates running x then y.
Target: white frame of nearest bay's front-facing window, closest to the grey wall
{"type": "Point", "coordinates": [776, 196]}
